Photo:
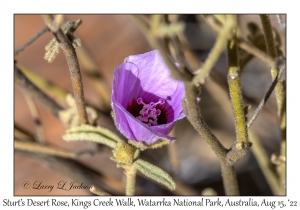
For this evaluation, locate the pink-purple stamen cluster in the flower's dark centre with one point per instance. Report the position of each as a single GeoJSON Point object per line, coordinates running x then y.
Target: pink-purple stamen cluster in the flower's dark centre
{"type": "Point", "coordinates": [149, 113]}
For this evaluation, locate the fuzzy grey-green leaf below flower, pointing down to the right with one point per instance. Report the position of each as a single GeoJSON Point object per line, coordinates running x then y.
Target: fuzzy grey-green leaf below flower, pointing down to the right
{"type": "Point", "coordinates": [155, 173]}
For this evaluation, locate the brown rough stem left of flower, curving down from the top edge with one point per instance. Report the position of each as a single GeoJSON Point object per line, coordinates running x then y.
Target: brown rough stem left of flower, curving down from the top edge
{"type": "Point", "coordinates": [73, 64]}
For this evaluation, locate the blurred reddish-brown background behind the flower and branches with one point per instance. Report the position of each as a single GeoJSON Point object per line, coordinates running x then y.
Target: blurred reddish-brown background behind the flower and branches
{"type": "Point", "coordinates": [109, 39]}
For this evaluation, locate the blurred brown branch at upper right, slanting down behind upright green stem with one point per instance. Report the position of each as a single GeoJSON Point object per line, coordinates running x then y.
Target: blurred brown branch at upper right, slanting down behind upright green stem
{"type": "Point", "coordinates": [242, 43]}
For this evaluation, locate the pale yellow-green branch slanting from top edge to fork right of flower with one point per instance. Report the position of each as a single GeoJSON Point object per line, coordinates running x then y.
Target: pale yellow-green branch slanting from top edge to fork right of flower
{"type": "Point", "coordinates": [216, 50]}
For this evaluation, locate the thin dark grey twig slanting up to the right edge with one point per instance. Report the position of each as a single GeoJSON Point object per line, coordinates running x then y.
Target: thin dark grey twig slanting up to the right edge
{"type": "Point", "coordinates": [265, 98]}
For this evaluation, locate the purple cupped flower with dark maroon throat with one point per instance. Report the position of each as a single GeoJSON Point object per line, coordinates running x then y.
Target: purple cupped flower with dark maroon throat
{"type": "Point", "coordinates": [145, 100]}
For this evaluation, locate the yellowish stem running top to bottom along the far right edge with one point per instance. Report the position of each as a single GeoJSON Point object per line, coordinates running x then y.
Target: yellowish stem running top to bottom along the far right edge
{"type": "Point", "coordinates": [280, 95]}
